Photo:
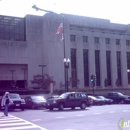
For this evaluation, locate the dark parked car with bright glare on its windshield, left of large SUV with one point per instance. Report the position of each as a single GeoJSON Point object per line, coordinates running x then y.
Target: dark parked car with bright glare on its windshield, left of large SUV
{"type": "Point", "coordinates": [35, 102]}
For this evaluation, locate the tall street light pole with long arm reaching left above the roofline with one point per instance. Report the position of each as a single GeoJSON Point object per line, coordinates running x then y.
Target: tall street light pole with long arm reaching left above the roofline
{"type": "Point", "coordinates": [63, 37]}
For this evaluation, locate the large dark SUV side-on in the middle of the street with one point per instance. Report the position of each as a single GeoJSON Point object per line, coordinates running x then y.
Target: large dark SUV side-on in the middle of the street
{"type": "Point", "coordinates": [69, 100]}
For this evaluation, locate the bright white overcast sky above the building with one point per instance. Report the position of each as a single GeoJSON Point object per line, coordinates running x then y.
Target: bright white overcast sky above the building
{"type": "Point", "coordinates": [117, 11]}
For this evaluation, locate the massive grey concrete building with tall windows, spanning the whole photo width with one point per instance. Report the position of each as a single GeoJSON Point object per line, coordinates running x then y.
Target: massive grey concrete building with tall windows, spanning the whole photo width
{"type": "Point", "coordinates": [30, 46]}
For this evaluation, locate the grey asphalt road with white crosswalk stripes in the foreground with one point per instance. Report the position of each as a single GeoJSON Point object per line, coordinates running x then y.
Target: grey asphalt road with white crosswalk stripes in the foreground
{"type": "Point", "coordinates": [104, 117]}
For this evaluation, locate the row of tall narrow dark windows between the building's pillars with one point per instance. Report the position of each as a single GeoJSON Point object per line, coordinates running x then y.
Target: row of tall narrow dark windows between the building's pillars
{"type": "Point", "coordinates": [97, 67]}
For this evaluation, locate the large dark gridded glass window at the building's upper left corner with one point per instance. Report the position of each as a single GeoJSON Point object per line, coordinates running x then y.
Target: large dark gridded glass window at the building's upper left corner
{"type": "Point", "coordinates": [12, 28]}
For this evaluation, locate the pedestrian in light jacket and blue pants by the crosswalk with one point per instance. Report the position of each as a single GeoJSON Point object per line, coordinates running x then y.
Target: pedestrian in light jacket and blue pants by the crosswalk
{"type": "Point", "coordinates": [5, 102]}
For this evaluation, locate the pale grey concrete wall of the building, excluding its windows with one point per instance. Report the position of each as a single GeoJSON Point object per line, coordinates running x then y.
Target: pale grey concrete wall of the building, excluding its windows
{"type": "Point", "coordinates": [44, 47]}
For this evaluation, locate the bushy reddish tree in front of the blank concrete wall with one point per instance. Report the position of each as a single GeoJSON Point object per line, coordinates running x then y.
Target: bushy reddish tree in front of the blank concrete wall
{"type": "Point", "coordinates": [37, 79]}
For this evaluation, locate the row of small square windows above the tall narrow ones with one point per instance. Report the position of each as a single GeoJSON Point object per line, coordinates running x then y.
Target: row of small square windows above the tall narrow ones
{"type": "Point", "coordinates": [96, 40]}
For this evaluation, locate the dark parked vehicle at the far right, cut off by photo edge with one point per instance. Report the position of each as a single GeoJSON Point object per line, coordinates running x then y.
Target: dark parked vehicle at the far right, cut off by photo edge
{"type": "Point", "coordinates": [118, 97]}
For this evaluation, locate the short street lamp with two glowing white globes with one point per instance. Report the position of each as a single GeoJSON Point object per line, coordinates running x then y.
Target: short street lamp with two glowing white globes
{"type": "Point", "coordinates": [66, 63]}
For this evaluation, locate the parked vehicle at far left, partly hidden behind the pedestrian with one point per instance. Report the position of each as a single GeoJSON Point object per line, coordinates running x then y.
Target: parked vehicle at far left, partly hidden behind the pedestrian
{"type": "Point", "coordinates": [18, 102]}
